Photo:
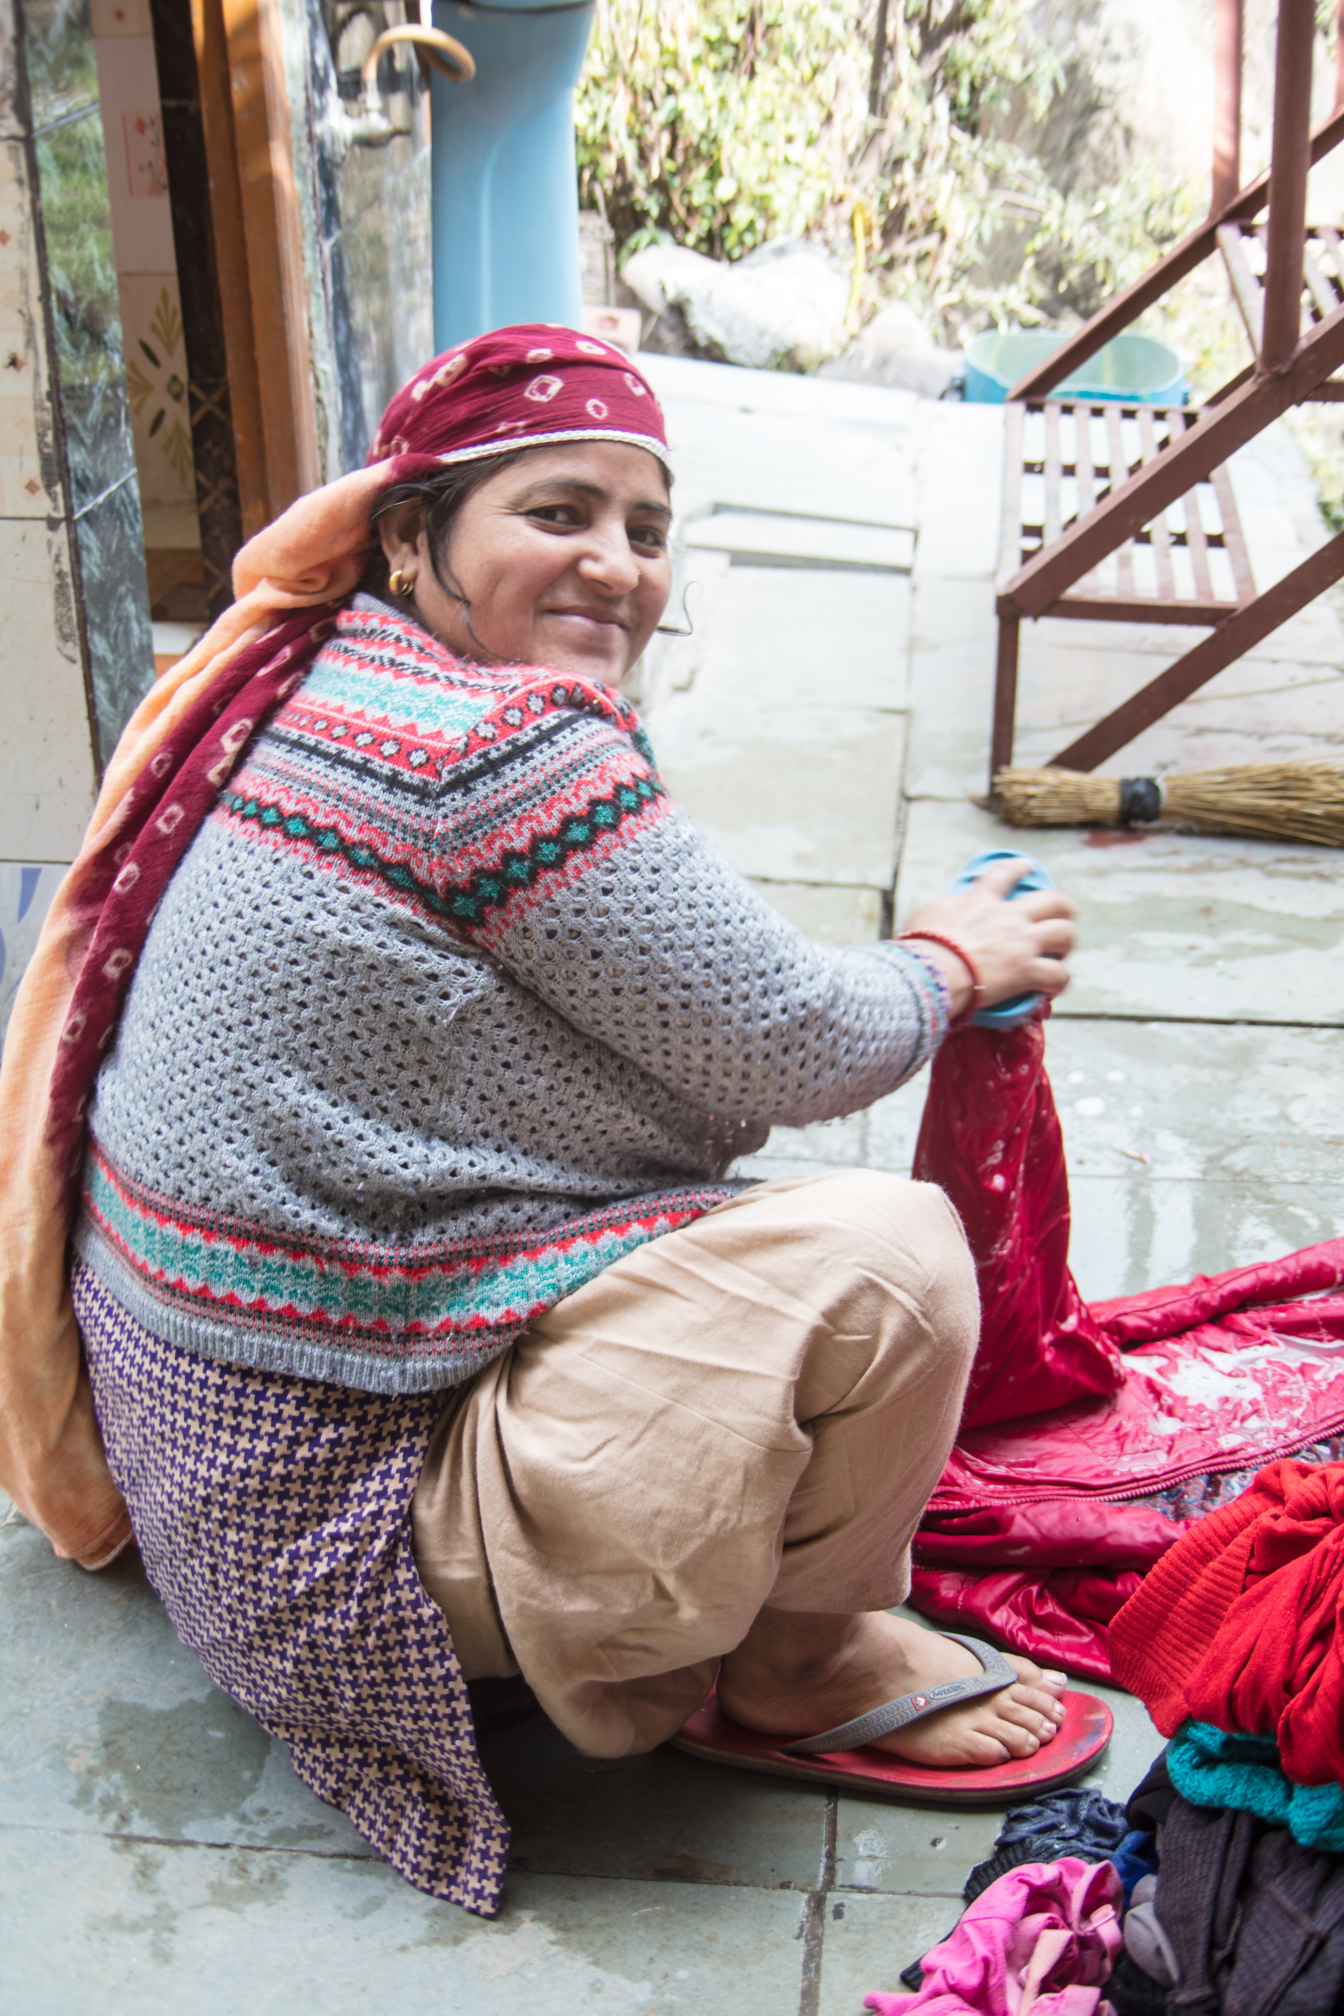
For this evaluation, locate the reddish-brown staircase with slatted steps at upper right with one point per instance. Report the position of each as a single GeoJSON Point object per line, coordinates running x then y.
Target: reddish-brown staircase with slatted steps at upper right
{"type": "Point", "coordinates": [1125, 513]}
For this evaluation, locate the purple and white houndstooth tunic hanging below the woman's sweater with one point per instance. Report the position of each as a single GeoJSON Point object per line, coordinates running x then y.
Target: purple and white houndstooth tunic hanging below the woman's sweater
{"type": "Point", "coordinates": [273, 1517]}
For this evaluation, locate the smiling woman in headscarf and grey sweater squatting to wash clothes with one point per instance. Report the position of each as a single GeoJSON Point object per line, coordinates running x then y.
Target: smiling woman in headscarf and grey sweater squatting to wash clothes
{"type": "Point", "coordinates": [398, 1033]}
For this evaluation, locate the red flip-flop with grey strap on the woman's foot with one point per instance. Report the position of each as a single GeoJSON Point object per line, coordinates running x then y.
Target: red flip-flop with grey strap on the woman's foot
{"type": "Point", "coordinates": [845, 1757]}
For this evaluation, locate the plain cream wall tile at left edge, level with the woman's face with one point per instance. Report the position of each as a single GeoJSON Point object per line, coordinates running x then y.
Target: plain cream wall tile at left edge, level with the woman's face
{"type": "Point", "coordinates": [45, 755]}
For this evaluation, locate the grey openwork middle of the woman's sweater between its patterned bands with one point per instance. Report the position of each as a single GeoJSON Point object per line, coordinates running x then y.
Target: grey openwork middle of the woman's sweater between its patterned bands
{"type": "Point", "coordinates": [307, 1055]}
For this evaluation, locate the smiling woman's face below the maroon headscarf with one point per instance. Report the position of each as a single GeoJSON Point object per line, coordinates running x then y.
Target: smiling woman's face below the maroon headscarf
{"type": "Point", "coordinates": [563, 561]}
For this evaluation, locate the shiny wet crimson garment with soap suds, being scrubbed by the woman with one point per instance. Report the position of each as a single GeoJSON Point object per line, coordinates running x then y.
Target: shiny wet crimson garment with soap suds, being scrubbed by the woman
{"type": "Point", "coordinates": [1075, 1408]}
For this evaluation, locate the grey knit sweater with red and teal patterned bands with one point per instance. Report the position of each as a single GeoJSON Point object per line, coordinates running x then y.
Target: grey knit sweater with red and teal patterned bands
{"type": "Point", "coordinates": [444, 1011]}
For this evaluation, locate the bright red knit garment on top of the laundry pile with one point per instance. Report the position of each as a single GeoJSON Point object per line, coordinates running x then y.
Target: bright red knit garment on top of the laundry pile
{"type": "Point", "coordinates": [1238, 1624]}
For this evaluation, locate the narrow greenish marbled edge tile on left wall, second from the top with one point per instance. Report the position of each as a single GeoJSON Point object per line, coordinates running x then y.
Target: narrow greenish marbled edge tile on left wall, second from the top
{"type": "Point", "coordinates": [84, 299]}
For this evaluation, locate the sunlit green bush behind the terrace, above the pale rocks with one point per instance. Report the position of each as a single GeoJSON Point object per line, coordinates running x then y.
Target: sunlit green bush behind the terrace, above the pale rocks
{"type": "Point", "coordinates": [722, 124]}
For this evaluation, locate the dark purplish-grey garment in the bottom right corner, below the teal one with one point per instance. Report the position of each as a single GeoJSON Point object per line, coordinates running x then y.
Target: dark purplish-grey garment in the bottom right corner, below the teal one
{"type": "Point", "coordinates": [1254, 1920]}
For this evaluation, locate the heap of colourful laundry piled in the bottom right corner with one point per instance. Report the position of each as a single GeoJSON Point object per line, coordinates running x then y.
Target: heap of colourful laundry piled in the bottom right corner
{"type": "Point", "coordinates": [1220, 1884]}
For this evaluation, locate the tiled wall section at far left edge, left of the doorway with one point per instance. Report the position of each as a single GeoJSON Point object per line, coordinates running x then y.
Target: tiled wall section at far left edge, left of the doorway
{"type": "Point", "coordinates": [76, 648]}
